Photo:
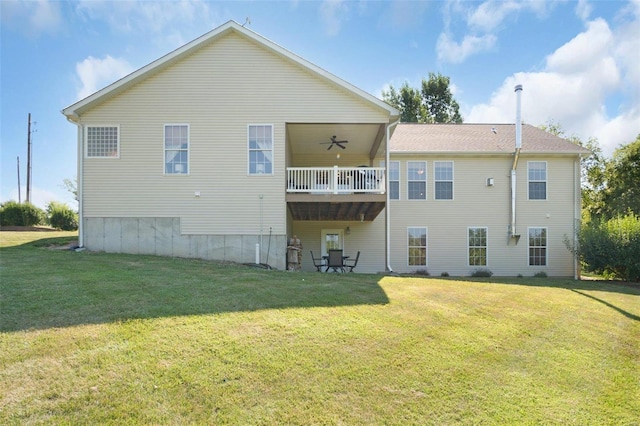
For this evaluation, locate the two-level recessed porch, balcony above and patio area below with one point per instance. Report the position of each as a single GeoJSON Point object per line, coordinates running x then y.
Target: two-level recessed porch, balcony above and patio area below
{"type": "Point", "coordinates": [336, 193]}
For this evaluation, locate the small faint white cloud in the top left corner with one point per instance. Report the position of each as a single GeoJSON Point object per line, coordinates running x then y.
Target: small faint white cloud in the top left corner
{"type": "Point", "coordinates": [32, 17]}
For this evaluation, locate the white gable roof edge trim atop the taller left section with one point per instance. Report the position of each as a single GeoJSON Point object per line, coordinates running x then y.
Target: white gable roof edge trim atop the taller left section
{"type": "Point", "coordinates": [73, 111]}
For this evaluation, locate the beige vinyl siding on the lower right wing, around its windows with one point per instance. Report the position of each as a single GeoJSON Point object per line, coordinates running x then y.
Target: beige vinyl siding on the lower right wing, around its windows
{"type": "Point", "coordinates": [478, 205]}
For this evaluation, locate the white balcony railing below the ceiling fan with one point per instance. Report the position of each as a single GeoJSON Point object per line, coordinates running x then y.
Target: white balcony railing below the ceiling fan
{"type": "Point", "coordinates": [336, 180]}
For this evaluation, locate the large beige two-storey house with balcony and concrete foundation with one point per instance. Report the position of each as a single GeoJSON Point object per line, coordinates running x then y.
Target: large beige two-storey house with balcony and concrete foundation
{"type": "Point", "coordinates": [229, 145]}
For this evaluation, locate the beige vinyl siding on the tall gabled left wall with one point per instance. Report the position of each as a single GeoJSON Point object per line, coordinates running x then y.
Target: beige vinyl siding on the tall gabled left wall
{"type": "Point", "coordinates": [217, 91]}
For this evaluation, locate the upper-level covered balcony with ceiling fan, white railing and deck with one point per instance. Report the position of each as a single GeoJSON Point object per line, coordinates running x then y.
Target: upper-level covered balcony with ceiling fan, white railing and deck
{"type": "Point", "coordinates": [329, 181]}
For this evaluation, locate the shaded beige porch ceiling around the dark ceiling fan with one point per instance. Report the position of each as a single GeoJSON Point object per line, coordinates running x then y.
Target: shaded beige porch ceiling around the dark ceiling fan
{"type": "Point", "coordinates": [307, 138]}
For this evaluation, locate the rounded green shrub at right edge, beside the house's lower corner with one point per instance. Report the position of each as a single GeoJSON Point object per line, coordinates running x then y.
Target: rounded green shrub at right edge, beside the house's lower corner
{"type": "Point", "coordinates": [612, 248]}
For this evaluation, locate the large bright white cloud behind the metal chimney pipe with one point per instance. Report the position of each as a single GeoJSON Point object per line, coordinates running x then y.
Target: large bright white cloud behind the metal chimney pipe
{"type": "Point", "coordinates": [573, 89]}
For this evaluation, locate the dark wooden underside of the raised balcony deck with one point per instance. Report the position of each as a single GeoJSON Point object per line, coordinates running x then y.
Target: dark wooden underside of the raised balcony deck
{"type": "Point", "coordinates": [364, 207]}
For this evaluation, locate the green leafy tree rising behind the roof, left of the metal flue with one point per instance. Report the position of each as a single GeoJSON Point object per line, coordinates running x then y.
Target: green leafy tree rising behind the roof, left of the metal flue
{"type": "Point", "coordinates": [432, 102]}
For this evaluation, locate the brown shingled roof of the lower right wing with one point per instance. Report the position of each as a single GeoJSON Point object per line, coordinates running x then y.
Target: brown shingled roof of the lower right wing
{"type": "Point", "coordinates": [477, 139]}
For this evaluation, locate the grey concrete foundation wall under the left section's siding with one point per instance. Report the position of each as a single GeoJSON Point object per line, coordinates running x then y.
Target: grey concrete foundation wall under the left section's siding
{"type": "Point", "coordinates": [161, 236]}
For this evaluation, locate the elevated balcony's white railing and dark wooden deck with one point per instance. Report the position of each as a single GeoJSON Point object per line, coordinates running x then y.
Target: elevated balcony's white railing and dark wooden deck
{"type": "Point", "coordinates": [336, 193]}
